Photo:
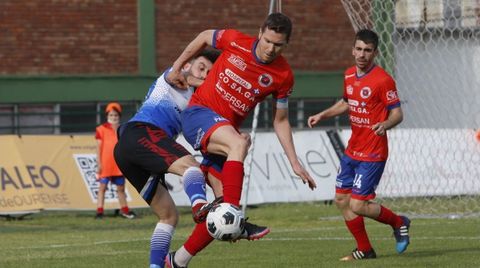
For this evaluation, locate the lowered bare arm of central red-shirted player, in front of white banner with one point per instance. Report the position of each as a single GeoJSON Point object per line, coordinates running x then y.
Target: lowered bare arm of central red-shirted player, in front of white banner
{"type": "Point", "coordinates": [284, 133]}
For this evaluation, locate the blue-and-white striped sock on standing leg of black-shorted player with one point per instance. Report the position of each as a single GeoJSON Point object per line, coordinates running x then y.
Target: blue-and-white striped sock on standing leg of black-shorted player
{"type": "Point", "coordinates": [160, 244]}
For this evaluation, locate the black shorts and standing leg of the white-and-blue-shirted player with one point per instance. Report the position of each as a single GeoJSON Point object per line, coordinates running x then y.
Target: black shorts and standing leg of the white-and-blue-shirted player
{"type": "Point", "coordinates": [138, 156]}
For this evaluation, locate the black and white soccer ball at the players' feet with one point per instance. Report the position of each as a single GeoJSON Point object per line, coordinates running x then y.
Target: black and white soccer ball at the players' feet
{"type": "Point", "coordinates": [225, 222]}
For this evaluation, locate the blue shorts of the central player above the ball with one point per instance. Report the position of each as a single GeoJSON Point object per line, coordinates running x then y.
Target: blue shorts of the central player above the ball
{"type": "Point", "coordinates": [198, 123]}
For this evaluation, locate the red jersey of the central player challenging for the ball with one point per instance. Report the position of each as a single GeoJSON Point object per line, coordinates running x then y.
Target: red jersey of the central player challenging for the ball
{"type": "Point", "coordinates": [238, 80]}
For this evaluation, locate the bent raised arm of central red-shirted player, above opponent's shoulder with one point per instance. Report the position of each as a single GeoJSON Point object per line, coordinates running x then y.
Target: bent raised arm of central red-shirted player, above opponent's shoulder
{"type": "Point", "coordinates": [176, 77]}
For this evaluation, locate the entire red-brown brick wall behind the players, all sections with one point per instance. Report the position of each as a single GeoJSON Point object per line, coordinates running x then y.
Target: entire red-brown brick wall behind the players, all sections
{"type": "Point", "coordinates": [100, 36]}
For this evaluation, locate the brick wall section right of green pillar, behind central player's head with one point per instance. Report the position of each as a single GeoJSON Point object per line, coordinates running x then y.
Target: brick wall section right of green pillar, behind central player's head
{"type": "Point", "coordinates": [321, 39]}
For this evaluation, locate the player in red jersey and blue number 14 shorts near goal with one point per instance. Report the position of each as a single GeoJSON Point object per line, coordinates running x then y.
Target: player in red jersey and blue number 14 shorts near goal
{"type": "Point", "coordinates": [371, 99]}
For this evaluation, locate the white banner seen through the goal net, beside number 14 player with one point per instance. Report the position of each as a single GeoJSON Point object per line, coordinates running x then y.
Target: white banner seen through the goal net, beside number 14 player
{"type": "Point", "coordinates": [430, 162]}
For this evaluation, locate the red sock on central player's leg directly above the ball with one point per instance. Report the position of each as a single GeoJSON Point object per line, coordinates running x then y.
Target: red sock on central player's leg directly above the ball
{"type": "Point", "coordinates": [232, 175]}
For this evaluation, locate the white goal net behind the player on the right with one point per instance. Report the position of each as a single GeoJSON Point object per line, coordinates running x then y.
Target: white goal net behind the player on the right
{"type": "Point", "coordinates": [432, 49]}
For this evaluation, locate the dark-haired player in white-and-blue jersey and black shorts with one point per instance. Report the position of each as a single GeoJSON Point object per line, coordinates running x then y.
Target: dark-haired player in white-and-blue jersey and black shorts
{"type": "Point", "coordinates": [147, 150]}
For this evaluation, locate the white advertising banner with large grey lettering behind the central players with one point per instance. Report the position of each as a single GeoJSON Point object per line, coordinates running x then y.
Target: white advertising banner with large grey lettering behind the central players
{"type": "Point", "coordinates": [272, 179]}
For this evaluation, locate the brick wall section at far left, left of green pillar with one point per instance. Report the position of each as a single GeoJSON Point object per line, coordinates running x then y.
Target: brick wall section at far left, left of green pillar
{"type": "Point", "coordinates": [68, 36]}
